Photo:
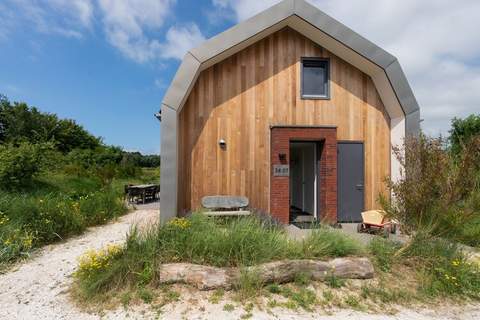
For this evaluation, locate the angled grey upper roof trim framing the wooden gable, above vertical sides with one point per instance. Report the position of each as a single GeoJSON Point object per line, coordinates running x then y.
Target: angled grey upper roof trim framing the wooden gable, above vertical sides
{"type": "Point", "coordinates": [270, 20]}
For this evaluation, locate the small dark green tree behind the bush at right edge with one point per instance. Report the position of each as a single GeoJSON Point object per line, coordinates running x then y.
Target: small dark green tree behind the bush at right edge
{"type": "Point", "coordinates": [463, 130]}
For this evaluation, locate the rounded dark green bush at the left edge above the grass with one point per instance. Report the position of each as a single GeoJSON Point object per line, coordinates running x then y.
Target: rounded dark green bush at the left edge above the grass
{"type": "Point", "coordinates": [20, 164]}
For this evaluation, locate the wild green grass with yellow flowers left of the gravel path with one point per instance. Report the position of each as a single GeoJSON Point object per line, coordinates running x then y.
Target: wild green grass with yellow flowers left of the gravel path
{"type": "Point", "coordinates": [57, 206]}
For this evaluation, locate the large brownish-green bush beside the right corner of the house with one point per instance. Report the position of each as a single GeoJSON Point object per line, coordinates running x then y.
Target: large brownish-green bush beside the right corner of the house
{"type": "Point", "coordinates": [437, 194]}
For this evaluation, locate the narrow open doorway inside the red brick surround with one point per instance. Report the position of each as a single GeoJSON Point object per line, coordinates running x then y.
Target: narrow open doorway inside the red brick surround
{"type": "Point", "coordinates": [303, 181]}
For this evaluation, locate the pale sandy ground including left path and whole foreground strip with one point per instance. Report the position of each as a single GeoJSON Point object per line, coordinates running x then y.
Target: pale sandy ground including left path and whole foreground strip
{"type": "Point", "coordinates": [38, 289]}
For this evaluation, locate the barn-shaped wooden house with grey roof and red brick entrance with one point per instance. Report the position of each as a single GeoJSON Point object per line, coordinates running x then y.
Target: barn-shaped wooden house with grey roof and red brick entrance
{"type": "Point", "coordinates": [290, 108]}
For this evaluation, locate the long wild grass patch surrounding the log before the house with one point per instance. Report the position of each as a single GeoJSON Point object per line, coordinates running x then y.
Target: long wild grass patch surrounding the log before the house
{"type": "Point", "coordinates": [424, 270]}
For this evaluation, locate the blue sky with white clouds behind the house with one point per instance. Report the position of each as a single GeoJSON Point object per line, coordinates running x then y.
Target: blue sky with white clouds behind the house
{"type": "Point", "coordinates": [108, 63]}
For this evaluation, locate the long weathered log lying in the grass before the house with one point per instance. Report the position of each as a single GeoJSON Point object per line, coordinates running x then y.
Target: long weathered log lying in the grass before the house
{"type": "Point", "coordinates": [208, 278]}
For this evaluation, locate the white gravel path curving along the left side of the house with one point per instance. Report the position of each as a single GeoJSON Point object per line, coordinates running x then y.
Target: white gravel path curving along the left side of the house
{"type": "Point", "coordinates": [38, 289]}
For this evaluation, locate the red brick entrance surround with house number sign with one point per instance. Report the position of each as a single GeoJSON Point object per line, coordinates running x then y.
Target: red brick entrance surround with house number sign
{"type": "Point", "coordinates": [283, 185]}
